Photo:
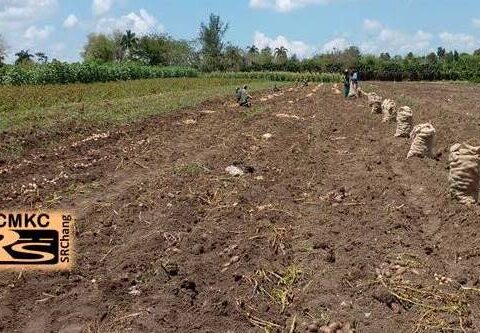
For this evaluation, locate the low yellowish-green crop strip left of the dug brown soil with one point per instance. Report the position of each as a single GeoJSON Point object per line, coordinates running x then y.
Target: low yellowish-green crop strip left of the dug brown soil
{"type": "Point", "coordinates": [41, 108]}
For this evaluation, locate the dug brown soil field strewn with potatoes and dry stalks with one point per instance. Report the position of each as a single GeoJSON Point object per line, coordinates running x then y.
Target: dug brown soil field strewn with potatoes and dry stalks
{"type": "Point", "coordinates": [330, 223]}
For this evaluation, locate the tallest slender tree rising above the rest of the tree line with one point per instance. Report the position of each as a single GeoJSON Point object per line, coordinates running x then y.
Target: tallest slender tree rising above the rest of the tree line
{"type": "Point", "coordinates": [211, 39]}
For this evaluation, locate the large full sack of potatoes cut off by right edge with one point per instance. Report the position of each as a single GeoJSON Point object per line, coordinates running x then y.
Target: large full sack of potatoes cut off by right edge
{"type": "Point", "coordinates": [464, 177]}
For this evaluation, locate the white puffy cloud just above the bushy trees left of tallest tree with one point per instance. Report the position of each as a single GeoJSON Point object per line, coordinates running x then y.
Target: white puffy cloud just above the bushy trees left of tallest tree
{"type": "Point", "coordinates": [140, 23]}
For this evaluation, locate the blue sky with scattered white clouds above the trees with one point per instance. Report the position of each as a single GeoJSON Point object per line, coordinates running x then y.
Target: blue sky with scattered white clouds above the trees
{"type": "Point", "coordinates": [59, 27]}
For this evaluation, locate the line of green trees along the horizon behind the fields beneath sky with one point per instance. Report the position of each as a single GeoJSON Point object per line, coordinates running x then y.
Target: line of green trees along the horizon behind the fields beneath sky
{"type": "Point", "coordinates": [209, 53]}
